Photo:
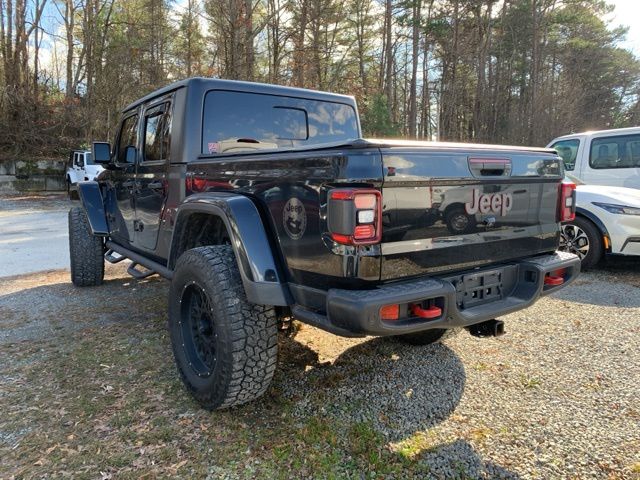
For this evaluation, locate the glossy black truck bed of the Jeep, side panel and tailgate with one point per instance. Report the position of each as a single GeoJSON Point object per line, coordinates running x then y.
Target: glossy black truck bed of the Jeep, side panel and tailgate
{"type": "Point", "coordinates": [421, 184]}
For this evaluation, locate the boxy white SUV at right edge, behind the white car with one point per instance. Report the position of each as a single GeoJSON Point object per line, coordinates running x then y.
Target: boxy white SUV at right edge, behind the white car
{"type": "Point", "coordinates": [606, 157]}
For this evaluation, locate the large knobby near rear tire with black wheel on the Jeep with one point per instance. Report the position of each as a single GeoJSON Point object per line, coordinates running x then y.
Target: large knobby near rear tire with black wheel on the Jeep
{"type": "Point", "coordinates": [225, 347]}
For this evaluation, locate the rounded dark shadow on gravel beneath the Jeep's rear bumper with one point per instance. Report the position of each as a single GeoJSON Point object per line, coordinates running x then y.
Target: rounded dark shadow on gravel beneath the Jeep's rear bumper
{"type": "Point", "coordinates": [398, 388]}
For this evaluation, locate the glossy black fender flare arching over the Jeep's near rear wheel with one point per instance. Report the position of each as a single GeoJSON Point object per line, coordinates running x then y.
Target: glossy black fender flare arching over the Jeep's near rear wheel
{"type": "Point", "coordinates": [261, 276]}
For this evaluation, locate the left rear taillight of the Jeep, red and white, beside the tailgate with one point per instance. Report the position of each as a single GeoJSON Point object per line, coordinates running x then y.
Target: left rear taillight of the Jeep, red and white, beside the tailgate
{"type": "Point", "coordinates": [354, 216]}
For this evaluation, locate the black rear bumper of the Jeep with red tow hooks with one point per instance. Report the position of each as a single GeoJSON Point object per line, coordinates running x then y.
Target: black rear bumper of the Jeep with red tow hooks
{"type": "Point", "coordinates": [464, 299]}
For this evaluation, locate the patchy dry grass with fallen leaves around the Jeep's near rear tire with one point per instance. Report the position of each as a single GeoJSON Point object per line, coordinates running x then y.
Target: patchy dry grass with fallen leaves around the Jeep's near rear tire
{"type": "Point", "coordinates": [102, 400]}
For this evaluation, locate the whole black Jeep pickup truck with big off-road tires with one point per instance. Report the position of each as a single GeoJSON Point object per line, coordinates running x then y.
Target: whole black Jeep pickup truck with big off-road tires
{"type": "Point", "coordinates": [262, 203]}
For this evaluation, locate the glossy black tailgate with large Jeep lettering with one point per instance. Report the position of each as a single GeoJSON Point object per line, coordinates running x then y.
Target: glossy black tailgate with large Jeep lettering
{"type": "Point", "coordinates": [454, 208]}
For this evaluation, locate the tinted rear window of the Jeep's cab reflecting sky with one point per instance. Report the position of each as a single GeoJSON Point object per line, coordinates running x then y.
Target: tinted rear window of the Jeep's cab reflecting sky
{"type": "Point", "coordinates": [239, 121]}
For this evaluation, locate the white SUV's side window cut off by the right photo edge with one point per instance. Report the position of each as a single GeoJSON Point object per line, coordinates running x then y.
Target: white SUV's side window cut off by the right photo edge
{"type": "Point", "coordinates": [615, 152]}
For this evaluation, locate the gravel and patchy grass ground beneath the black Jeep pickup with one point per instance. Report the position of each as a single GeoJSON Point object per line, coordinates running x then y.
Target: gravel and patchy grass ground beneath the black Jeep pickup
{"type": "Point", "coordinates": [556, 397]}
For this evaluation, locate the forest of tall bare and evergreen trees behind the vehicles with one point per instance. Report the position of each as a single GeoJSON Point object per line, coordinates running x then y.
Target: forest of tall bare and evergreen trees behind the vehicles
{"type": "Point", "coordinates": [491, 71]}
